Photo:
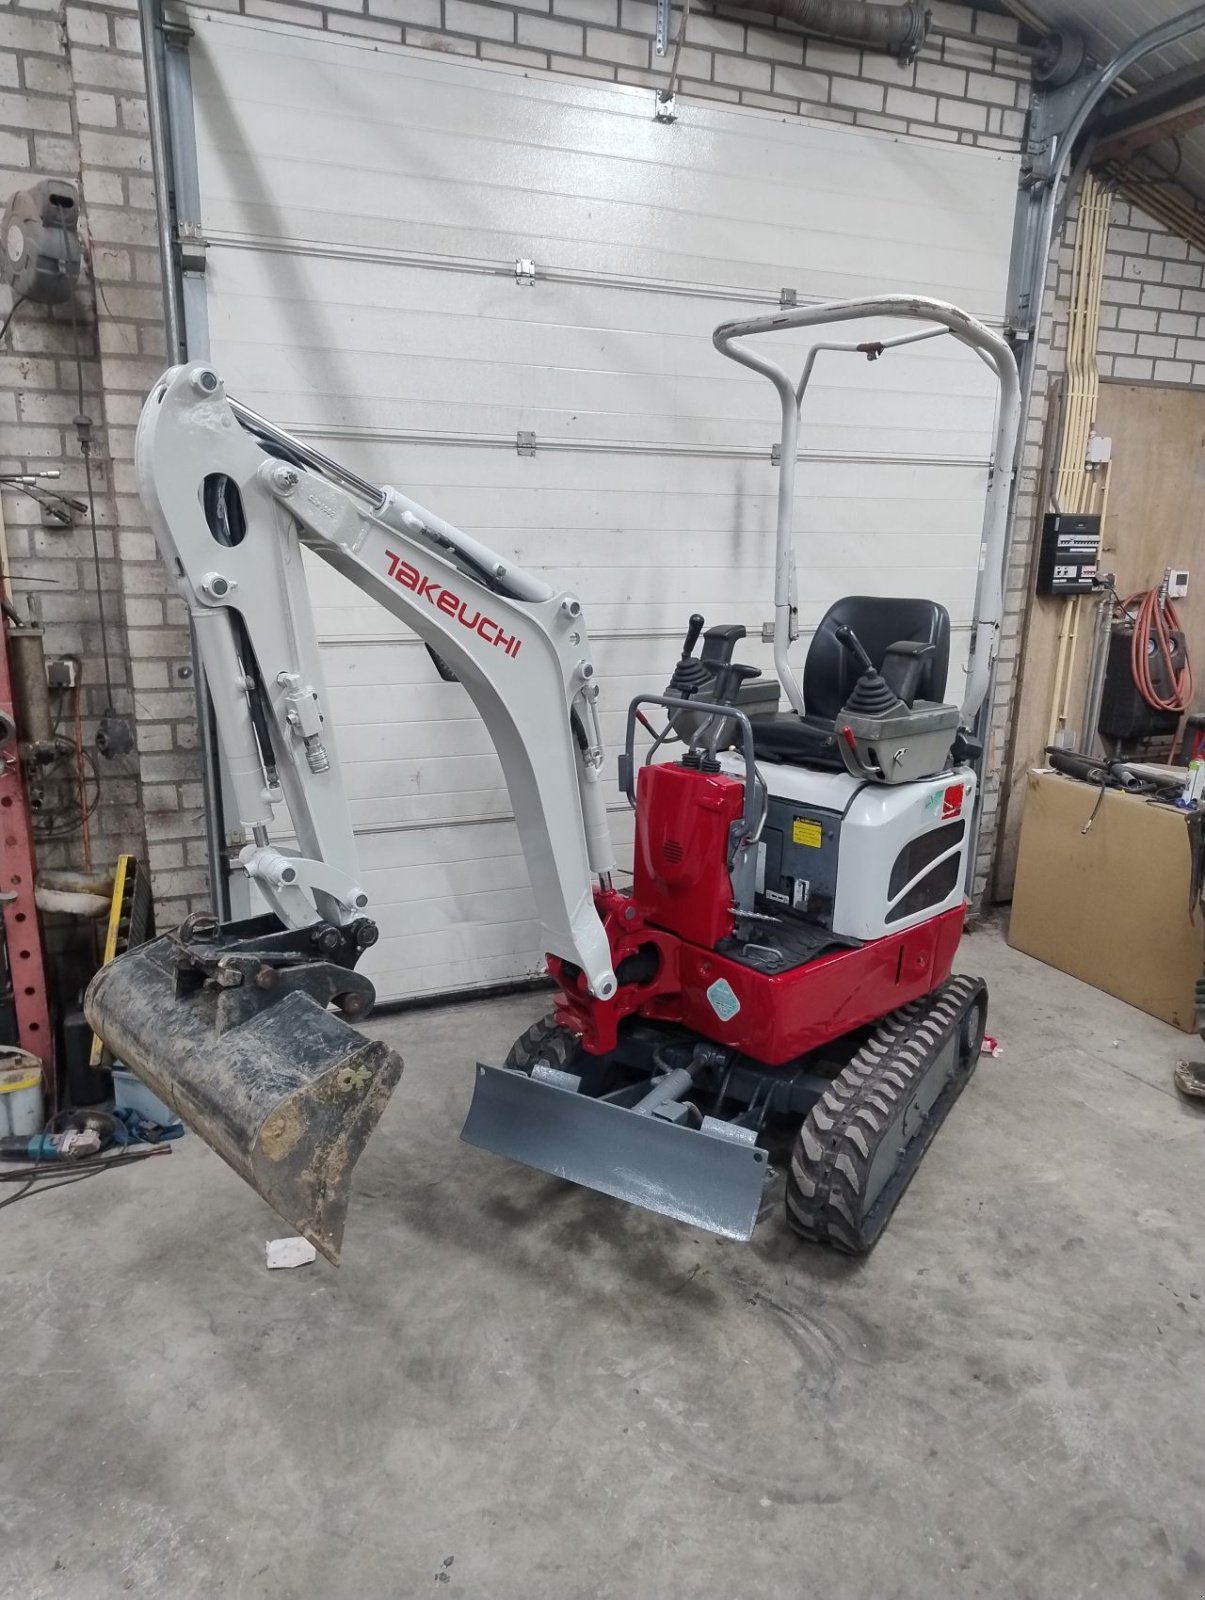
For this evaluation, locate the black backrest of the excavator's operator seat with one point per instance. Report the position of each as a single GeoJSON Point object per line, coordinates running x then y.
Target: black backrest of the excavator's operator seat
{"type": "Point", "coordinates": [831, 671]}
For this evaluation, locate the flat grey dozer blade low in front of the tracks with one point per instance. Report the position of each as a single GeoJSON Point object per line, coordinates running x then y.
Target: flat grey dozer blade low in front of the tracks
{"type": "Point", "coordinates": [708, 1180]}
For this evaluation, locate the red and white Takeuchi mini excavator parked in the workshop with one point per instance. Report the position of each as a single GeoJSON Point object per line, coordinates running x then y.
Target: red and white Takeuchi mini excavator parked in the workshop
{"type": "Point", "coordinates": [774, 991]}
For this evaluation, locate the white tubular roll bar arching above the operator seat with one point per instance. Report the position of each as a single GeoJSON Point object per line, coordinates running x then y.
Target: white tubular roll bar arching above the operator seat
{"type": "Point", "coordinates": [995, 543]}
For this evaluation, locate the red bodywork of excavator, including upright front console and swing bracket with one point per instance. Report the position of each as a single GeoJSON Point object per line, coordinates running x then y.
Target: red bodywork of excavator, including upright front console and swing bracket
{"type": "Point", "coordinates": [663, 943]}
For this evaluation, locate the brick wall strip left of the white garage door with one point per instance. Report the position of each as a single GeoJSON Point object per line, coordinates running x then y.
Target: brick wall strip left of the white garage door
{"type": "Point", "coordinates": [78, 110]}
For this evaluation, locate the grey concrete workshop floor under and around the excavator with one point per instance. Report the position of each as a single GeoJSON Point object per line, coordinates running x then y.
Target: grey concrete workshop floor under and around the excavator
{"type": "Point", "coordinates": [521, 1391]}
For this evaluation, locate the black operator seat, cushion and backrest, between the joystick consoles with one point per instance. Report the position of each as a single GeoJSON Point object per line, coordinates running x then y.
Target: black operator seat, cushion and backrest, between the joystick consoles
{"type": "Point", "coordinates": [831, 671]}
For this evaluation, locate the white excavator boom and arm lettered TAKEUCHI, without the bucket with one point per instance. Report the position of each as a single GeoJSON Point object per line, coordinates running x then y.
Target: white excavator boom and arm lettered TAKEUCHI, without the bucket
{"type": "Point", "coordinates": [233, 500]}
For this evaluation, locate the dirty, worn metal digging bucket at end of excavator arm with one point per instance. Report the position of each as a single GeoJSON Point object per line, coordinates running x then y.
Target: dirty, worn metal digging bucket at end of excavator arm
{"type": "Point", "coordinates": [284, 1090]}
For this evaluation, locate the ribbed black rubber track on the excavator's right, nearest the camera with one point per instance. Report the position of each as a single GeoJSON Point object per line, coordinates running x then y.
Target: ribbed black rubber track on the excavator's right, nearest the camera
{"type": "Point", "coordinates": [844, 1130]}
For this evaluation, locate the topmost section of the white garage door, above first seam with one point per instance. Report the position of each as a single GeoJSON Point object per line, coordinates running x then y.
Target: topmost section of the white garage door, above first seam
{"type": "Point", "coordinates": [479, 161]}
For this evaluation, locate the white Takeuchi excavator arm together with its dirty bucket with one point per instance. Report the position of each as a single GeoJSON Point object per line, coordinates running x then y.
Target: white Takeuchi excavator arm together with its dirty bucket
{"type": "Point", "coordinates": [230, 1023]}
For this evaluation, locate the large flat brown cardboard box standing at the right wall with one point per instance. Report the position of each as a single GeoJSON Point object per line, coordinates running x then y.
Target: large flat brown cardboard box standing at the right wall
{"type": "Point", "coordinates": [1110, 906]}
